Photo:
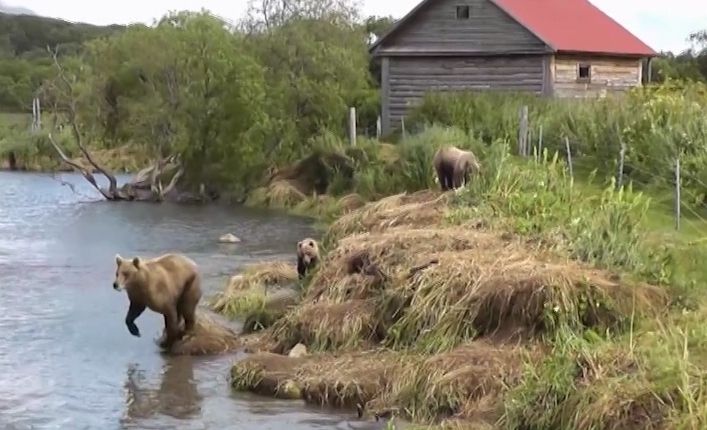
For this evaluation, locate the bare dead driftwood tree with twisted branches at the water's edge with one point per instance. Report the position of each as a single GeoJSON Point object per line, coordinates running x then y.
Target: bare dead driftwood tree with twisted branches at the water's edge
{"type": "Point", "coordinates": [145, 186]}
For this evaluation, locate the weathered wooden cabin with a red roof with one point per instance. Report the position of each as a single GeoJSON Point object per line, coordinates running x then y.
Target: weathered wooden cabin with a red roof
{"type": "Point", "coordinates": [560, 48]}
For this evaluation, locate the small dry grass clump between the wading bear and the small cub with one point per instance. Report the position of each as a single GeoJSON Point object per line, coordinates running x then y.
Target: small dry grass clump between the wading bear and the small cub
{"type": "Point", "coordinates": [247, 290]}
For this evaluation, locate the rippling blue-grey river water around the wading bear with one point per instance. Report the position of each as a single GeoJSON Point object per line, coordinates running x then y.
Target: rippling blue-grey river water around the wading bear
{"type": "Point", "coordinates": [67, 360]}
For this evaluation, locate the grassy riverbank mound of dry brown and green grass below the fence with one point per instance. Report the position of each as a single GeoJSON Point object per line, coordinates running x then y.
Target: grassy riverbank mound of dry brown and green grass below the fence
{"type": "Point", "coordinates": [528, 300]}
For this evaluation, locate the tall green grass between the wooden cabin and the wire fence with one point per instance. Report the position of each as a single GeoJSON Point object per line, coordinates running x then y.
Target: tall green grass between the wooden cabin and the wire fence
{"type": "Point", "coordinates": [656, 125]}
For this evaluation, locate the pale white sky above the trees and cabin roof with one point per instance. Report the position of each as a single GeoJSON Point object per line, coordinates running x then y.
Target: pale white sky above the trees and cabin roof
{"type": "Point", "coordinates": [662, 25]}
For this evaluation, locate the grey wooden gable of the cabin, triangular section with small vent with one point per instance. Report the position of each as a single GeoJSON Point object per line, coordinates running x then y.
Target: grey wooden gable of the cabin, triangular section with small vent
{"type": "Point", "coordinates": [436, 28]}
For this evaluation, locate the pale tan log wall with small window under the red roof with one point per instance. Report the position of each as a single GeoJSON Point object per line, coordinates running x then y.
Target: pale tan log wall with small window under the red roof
{"type": "Point", "coordinates": [608, 75]}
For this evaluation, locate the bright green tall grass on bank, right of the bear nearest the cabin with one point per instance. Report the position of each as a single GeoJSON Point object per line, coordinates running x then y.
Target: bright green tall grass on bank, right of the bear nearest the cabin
{"type": "Point", "coordinates": [539, 199]}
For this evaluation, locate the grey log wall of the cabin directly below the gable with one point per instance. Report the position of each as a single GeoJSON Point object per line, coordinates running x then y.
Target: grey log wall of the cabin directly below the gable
{"type": "Point", "coordinates": [410, 78]}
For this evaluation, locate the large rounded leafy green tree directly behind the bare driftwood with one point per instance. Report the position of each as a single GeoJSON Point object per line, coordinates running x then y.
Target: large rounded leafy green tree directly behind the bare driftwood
{"type": "Point", "coordinates": [186, 90]}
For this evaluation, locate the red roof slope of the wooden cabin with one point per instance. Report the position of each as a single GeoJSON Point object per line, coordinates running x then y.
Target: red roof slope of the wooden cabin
{"type": "Point", "coordinates": [574, 26]}
